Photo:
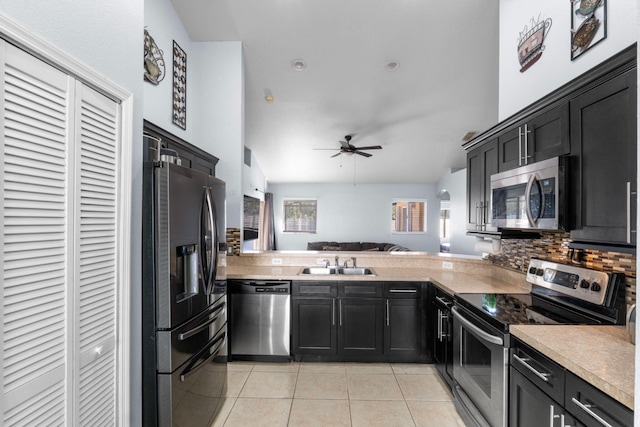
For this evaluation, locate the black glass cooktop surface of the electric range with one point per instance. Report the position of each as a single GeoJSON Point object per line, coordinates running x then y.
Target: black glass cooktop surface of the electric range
{"type": "Point", "coordinates": [502, 310]}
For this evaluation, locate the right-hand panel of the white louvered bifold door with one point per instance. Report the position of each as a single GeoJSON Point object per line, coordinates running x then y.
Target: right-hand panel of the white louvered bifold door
{"type": "Point", "coordinates": [96, 269]}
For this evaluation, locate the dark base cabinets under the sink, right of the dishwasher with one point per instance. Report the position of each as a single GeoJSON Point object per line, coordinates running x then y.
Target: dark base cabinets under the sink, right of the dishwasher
{"type": "Point", "coordinates": [357, 321]}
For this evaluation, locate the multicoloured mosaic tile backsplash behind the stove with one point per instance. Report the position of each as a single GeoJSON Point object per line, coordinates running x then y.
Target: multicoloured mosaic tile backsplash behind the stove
{"type": "Point", "coordinates": [554, 246]}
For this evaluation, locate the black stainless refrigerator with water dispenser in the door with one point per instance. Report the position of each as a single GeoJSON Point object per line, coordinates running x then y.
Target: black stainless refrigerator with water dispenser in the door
{"type": "Point", "coordinates": [184, 307]}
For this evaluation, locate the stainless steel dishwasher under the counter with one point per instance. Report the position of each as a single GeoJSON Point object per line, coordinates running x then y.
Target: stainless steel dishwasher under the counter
{"type": "Point", "coordinates": [260, 319]}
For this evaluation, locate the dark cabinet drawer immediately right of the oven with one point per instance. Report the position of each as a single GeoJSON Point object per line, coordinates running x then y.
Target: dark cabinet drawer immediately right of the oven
{"type": "Point", "coordinates": [539, 369]}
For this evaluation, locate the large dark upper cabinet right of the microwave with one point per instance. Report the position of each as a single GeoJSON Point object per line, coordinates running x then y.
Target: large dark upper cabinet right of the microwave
{"type": "Point", "coordinates": [603, 168]}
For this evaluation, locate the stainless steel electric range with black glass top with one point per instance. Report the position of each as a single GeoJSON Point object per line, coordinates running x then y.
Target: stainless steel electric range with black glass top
{"type": "Point", "coordinates": [561, 294]}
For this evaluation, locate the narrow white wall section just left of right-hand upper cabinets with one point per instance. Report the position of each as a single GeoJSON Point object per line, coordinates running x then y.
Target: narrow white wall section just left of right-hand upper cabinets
{"type": "Point", "coordinates": [456, 185]}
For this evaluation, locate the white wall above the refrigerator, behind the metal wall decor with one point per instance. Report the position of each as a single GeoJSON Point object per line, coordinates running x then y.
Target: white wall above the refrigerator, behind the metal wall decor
{"type": "Point", "coordinates": [215, 98]}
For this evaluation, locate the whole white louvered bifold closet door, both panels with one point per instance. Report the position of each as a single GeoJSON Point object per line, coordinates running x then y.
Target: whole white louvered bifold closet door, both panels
{"type": "Point", "coordinates": [59, 247]}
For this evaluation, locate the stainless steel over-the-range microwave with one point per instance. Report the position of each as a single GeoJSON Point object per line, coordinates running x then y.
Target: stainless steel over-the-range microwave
{"type": "Point", "coordinates": [531, 196]}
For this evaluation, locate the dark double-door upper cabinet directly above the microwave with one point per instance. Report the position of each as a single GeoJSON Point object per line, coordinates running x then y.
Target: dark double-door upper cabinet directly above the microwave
{"type": "Point", "coordinates": [538, 137]}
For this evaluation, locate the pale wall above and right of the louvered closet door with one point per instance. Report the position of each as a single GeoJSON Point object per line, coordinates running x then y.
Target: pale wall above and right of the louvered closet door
{"type": "Point", "coordinates": [107, 37]}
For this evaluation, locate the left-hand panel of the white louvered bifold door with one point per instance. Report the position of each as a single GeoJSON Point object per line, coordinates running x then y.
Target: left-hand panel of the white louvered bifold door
{"type": "Point", "coordinates": [35, 102]}
